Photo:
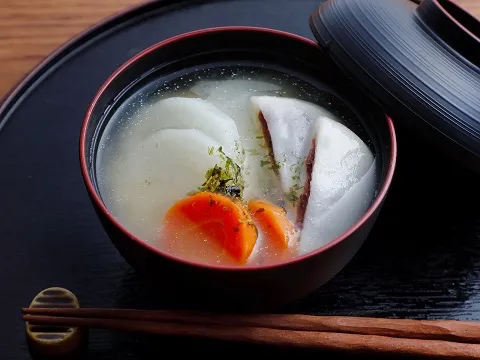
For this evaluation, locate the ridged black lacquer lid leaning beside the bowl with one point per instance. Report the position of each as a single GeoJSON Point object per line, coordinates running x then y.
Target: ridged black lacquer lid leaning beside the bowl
{"type": "Point", "coordinates": [420, 62]}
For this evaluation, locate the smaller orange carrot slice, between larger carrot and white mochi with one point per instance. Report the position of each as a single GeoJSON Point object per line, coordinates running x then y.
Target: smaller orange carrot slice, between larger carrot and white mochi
{"type": "Point", "coordinates": [273, 222]}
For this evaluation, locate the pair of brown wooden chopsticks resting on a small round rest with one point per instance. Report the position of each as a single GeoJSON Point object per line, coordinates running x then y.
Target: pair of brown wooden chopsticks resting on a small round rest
{"type": "Point", "coordinates": [443, 339]}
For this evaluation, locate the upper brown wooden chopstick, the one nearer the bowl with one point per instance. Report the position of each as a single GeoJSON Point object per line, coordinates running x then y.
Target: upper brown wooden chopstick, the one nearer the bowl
{"type": "Point", "coordinates": [447, 330]}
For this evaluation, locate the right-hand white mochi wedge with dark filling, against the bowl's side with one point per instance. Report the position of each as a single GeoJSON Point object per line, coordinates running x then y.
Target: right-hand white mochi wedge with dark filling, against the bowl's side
{"type": "Point", "coordinates": [341, 181]}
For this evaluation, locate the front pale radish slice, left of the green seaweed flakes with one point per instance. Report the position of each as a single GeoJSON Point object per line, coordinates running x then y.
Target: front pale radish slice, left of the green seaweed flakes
{"type": "Point", "coordinates": [162, 169]}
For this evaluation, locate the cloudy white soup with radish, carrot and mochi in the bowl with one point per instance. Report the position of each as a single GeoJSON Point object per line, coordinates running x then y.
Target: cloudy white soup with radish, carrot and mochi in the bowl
{"type": "Point", "coordinates": [235, 165]}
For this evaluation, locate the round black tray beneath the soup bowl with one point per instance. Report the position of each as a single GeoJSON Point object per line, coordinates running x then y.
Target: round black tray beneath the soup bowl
{"type": "Point", "coordinates": [422, 259]}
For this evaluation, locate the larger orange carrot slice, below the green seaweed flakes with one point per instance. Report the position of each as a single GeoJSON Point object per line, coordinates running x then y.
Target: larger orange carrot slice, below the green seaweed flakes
{"type": "Point", "coordinates": [223, 219]}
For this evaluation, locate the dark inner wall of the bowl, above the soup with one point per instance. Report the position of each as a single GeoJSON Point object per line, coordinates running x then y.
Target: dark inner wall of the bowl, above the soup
{"type": "Point", "coordinates": [219, 48]}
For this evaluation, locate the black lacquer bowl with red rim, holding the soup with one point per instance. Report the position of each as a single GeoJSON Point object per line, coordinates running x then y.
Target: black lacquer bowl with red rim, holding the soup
{"type": "Point", "coordinates": [239, 287]}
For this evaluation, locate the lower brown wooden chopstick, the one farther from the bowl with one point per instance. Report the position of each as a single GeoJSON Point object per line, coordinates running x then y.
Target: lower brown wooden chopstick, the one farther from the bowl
{"type": "Point", "coordinates": [272, 336]}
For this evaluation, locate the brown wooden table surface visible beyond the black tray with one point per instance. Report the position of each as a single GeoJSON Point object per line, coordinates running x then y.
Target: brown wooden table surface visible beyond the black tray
{"type": "Point", "coordinates": [30, 30]}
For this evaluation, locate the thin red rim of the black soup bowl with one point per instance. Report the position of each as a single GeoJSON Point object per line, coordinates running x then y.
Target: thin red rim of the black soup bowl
{"type": "Point", "coordinates": [98, 201]}
